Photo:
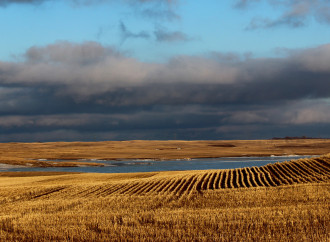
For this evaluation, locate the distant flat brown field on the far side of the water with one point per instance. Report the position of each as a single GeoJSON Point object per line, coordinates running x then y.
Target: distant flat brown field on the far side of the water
{"type": "Point", "coordinates": [35, 154]}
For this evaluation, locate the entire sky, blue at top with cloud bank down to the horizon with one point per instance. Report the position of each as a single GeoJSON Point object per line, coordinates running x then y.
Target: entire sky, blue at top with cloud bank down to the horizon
{"type": "Point", "coordinates": [93, 70]}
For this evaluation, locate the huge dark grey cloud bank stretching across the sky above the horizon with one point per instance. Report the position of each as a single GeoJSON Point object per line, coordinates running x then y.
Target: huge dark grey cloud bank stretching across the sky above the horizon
{"type": "Point", "coordinates": [68, 91]}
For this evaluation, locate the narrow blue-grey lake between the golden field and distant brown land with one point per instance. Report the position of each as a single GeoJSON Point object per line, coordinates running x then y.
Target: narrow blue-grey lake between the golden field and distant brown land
{"type": "Point", "coordinates": [128, 166]}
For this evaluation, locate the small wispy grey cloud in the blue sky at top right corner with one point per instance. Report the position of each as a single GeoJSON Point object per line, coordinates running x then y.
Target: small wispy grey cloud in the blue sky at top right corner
{"type": "Point", "coordinates": [295, 13]}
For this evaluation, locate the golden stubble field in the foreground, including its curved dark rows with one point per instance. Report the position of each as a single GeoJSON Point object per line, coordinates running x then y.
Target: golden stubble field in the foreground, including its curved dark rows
{"type": "Point", "coordinates": [278, 202]}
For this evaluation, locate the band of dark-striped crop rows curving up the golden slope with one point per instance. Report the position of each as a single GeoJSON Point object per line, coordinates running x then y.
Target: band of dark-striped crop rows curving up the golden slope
{"type": "Point", "coordinates": [271, 175]}
